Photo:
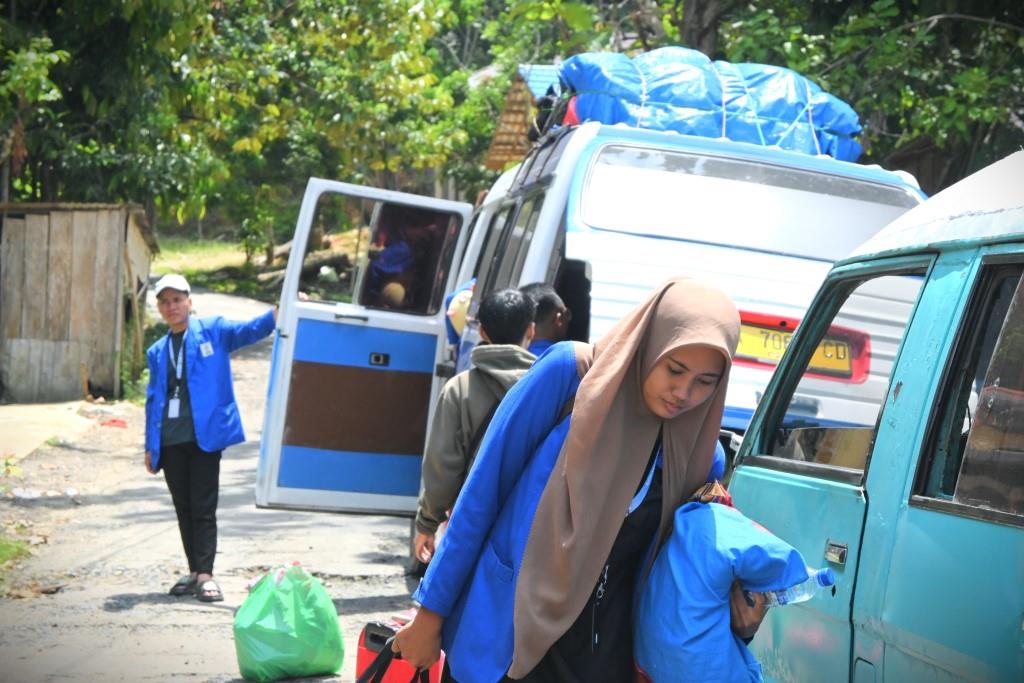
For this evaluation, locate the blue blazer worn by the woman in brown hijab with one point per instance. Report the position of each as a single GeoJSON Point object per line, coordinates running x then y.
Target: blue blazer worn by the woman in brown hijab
{"type": "Point", "coordinates": [472, 580]}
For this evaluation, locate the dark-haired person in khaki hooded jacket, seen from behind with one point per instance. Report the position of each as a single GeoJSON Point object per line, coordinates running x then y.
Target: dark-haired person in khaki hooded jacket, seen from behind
{"type": "Point", "coordinates": [467, 403]}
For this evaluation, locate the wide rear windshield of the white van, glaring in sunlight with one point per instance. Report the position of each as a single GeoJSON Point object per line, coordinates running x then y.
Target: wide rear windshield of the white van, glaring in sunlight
{"type": "Point", "coordinates": [735, 202]}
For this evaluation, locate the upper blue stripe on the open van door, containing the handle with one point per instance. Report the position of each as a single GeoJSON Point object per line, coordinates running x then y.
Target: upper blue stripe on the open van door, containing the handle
{"type": "Point", "coordinates": [344, 345]}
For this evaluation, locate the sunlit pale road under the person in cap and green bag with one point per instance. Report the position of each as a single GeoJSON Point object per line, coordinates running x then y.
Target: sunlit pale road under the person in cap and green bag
{"type": "Point", "coordinates": [92, 604]}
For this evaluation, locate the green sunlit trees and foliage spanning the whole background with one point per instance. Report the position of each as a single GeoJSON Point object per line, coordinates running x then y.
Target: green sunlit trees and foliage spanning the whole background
{"type": "Point", "coordinates": [189, 106]}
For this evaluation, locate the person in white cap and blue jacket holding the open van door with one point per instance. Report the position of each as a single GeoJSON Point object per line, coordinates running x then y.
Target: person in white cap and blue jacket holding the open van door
{"type": "Point", "coordinates": [191, 417]}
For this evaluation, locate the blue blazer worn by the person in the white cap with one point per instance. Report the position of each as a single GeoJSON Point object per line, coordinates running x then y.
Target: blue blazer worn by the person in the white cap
{"type": "Point", "coordinates": [209, 344]}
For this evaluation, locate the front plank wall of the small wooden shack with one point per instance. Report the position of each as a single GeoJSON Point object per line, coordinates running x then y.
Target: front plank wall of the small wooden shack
{"type": "Point", "coordinates": [60, 278]}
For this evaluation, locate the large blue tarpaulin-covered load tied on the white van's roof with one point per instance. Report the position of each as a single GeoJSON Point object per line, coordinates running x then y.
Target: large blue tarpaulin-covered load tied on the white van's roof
{"type": "Point", "coordinates": [680, 90]}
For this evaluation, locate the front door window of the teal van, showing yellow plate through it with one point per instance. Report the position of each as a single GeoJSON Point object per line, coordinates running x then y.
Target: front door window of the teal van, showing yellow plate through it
{"type": "Point", "coordinates": [831, 417]}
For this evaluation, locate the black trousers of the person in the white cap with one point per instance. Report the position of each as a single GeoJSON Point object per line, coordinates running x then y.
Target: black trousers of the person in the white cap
{"type": "Point", "coordinates": [193, 477]}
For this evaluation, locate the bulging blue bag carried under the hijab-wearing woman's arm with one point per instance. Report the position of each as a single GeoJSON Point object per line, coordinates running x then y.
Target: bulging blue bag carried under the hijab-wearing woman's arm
{"type": "Point", "coordinates": [682, 627]}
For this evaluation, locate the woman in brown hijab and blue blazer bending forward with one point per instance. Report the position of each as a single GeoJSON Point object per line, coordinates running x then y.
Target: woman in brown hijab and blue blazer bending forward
{"type": "Point", "coordinates": [575, 487]}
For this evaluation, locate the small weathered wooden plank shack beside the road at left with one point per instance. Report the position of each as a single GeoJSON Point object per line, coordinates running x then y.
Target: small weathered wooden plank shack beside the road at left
{"type": "Point", "coordinates": [73, 279]}
